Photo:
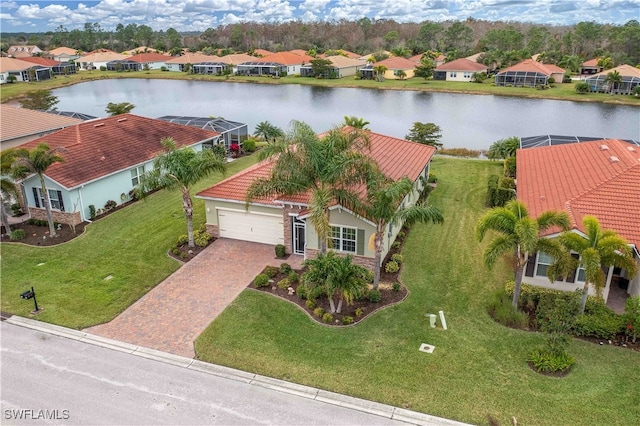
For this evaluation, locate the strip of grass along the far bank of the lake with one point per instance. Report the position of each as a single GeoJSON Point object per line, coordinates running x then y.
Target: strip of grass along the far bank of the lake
{"type": "Point", "coordinates": [564, 91]}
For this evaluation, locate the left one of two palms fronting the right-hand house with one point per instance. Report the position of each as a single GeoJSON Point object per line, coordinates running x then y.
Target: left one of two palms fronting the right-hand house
{"type": "Point", "coordinates": [519, 234]}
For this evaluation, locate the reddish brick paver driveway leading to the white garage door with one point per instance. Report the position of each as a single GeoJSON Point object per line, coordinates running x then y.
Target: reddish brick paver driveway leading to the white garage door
{"type": "Point", "coordinates": [176, 311]}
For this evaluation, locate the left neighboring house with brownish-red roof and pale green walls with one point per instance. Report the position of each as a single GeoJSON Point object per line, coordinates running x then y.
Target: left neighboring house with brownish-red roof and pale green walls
{"type": "Point", "coordinates": [103, 161]}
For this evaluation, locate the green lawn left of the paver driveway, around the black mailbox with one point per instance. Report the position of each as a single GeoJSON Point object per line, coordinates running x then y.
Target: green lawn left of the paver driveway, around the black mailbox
{"type": "Point", "coordinates": [130, 245]}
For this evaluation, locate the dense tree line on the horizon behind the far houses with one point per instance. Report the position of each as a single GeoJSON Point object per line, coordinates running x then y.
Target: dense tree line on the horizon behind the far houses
{"type": "Point", "coordinates": [502, 42]}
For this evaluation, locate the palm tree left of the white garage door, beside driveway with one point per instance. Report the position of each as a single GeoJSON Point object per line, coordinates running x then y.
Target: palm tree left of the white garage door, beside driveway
{"type": "Point", "coordinates": [181, 168]}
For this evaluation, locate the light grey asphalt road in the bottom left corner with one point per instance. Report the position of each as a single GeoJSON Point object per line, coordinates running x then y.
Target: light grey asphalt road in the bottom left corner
{"type": "Point", "coordinates": [46, 379]}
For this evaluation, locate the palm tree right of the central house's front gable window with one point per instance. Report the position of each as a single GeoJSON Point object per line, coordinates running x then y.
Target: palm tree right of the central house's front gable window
{"type": "Point", "coordinates": [383, 206]}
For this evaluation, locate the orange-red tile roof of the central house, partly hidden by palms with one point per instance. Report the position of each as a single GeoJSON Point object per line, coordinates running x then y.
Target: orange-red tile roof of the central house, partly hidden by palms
{"type": "Point", "coordinates": [395, 157]}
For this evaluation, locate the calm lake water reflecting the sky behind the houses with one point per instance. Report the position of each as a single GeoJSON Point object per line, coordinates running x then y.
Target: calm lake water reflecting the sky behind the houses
{"type": "Point", "coordinates": [470, 121]}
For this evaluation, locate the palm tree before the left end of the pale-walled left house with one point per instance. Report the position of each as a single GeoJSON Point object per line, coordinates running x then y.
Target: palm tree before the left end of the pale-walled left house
{"type": "Point", "coordinates": [37, 160]}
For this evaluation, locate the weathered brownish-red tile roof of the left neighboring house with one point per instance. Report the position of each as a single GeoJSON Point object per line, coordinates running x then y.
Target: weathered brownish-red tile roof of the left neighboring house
{"type": "Point", "coordinates": [96, 148]}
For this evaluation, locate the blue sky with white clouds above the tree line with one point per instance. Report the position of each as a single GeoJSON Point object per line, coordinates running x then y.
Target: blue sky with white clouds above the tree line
{"type": "Point", "coordinates": [198, 15]}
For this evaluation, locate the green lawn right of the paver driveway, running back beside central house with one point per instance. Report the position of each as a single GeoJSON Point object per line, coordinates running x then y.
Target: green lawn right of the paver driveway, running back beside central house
{"type": "Point", "coordinates": [478, 367]}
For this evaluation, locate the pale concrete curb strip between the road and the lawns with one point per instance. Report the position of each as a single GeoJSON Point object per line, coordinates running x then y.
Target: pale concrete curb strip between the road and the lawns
{"type": "Point", "coordinates": [371, 407]}
